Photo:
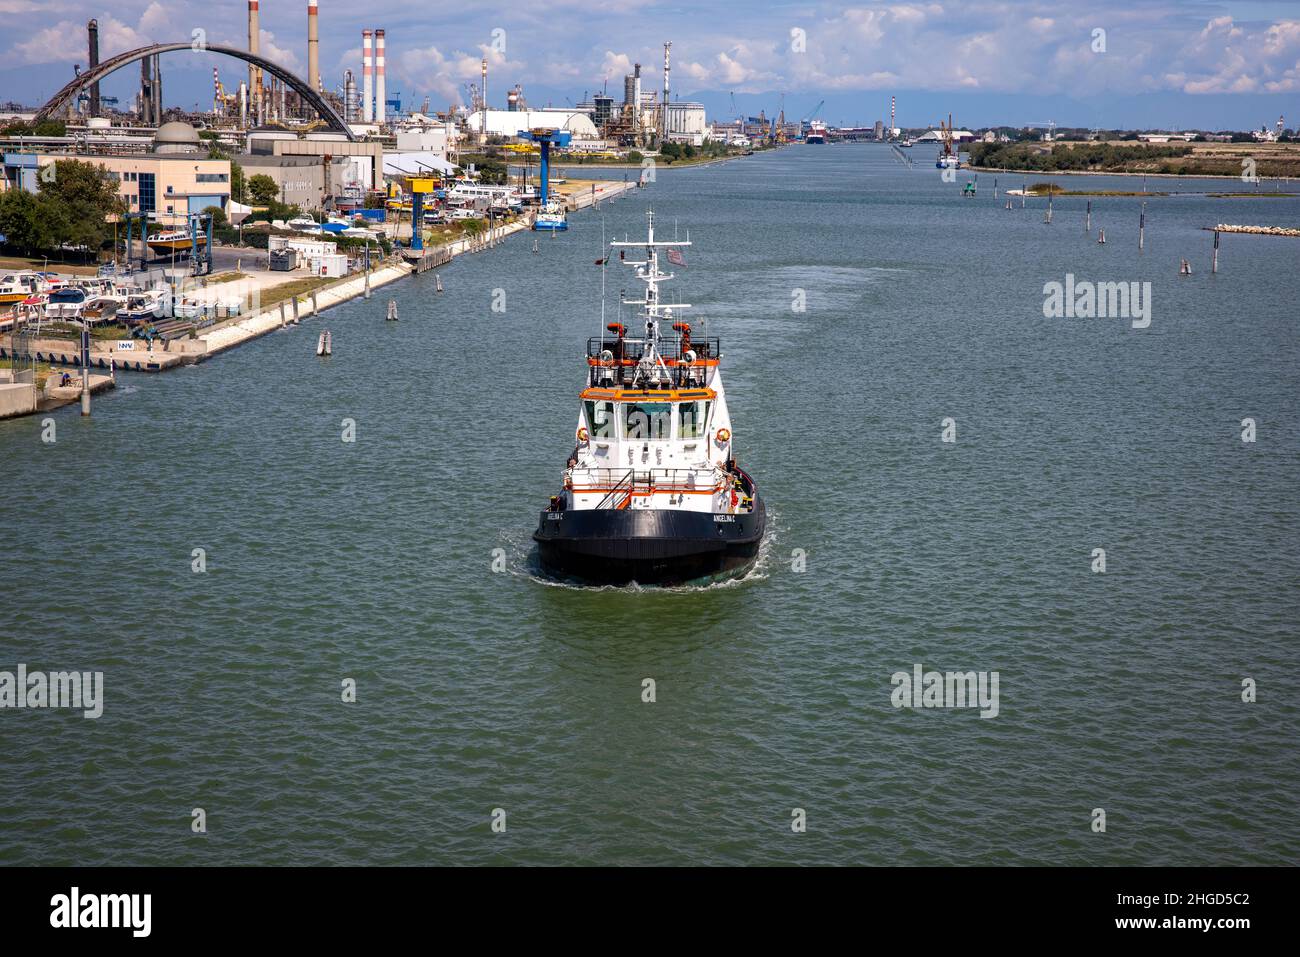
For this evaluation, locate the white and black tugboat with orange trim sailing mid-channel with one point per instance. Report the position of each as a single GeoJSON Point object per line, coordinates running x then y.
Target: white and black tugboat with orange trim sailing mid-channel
{"type": "Point", "coordinates": [652, 492]}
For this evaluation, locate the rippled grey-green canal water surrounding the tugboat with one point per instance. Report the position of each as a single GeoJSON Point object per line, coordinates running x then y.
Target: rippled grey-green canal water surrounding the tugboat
{"type": "Point", "coordinates": [861, 305]}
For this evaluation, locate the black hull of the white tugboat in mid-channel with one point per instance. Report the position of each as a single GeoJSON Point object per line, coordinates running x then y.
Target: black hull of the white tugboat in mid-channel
{"type": "Point", "coordinates": [652, 547]}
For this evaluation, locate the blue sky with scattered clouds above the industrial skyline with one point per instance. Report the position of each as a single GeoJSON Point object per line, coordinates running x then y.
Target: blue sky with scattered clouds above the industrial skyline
{"type": "Point", "coordinates": [1146, 64]}
